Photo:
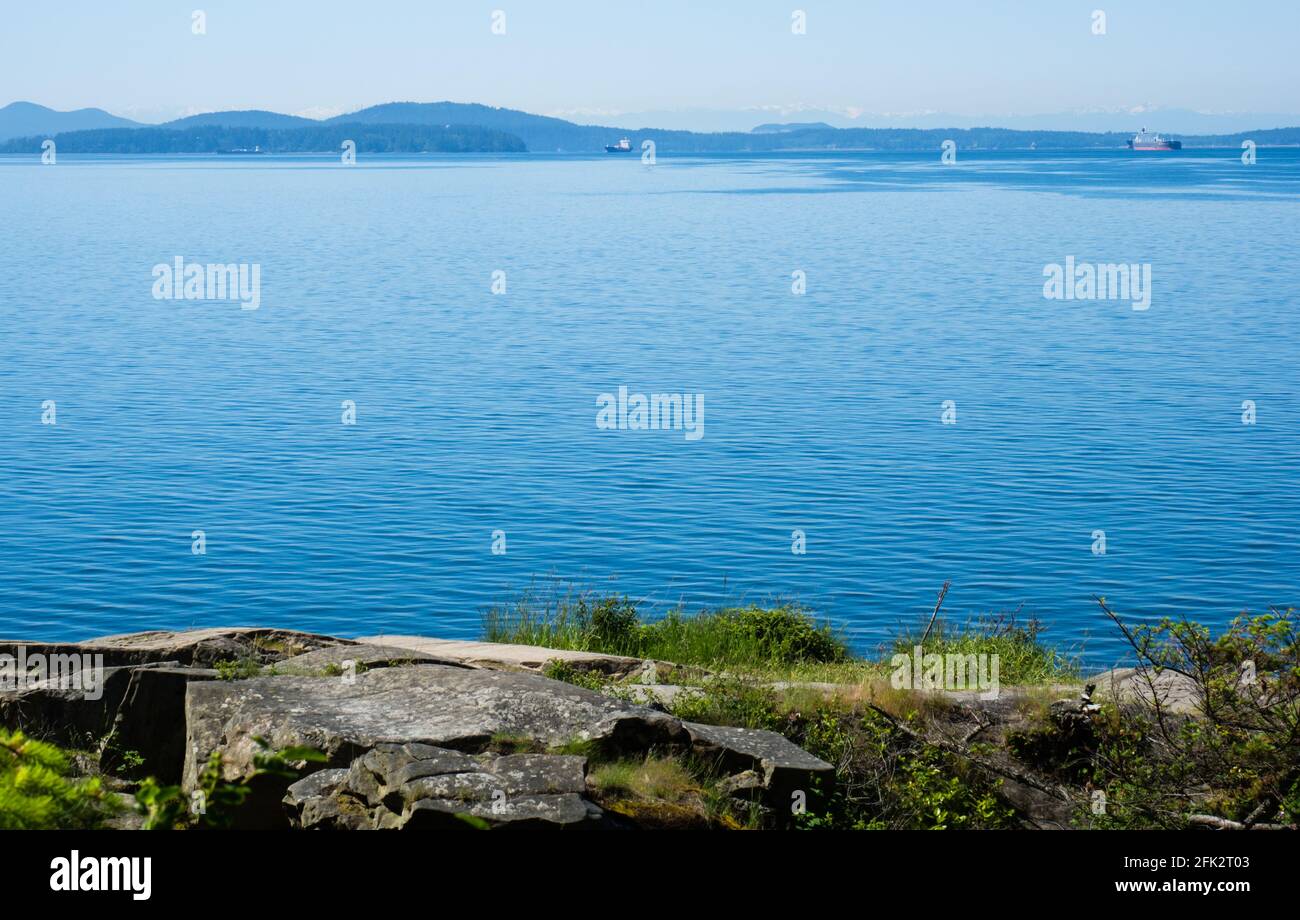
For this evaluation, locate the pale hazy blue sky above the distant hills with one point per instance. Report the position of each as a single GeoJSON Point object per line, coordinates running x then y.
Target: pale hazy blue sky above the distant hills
{"type": "Point", "coordinates": [140, 59]}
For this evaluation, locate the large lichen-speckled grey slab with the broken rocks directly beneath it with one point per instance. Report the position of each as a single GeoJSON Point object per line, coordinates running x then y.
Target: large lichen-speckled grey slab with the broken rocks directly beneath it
{"type": "Point", "coordinates": [410, 747]}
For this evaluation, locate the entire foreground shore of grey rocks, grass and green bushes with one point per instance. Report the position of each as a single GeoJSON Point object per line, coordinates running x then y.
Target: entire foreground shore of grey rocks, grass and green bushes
{"type": "Point", "coordinates": [259, 728]}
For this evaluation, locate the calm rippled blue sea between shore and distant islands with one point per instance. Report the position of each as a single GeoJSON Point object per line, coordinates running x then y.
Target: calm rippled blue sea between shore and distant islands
{"type": "Point", "coordinates": [478, 413]}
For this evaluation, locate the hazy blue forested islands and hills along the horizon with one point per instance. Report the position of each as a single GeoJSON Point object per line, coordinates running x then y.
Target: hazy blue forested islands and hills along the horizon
{"type": "Point", "coordinates": [460, 128]}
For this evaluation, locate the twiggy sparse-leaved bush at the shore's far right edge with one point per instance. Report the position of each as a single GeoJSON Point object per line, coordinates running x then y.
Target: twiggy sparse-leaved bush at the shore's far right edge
{"type": "Point", "coordinates": [1236, 763]}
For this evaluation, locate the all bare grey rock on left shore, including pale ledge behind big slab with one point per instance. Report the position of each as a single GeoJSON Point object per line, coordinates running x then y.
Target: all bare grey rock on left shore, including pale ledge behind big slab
{"type": "Point", "coordinates": [413, 732]}
